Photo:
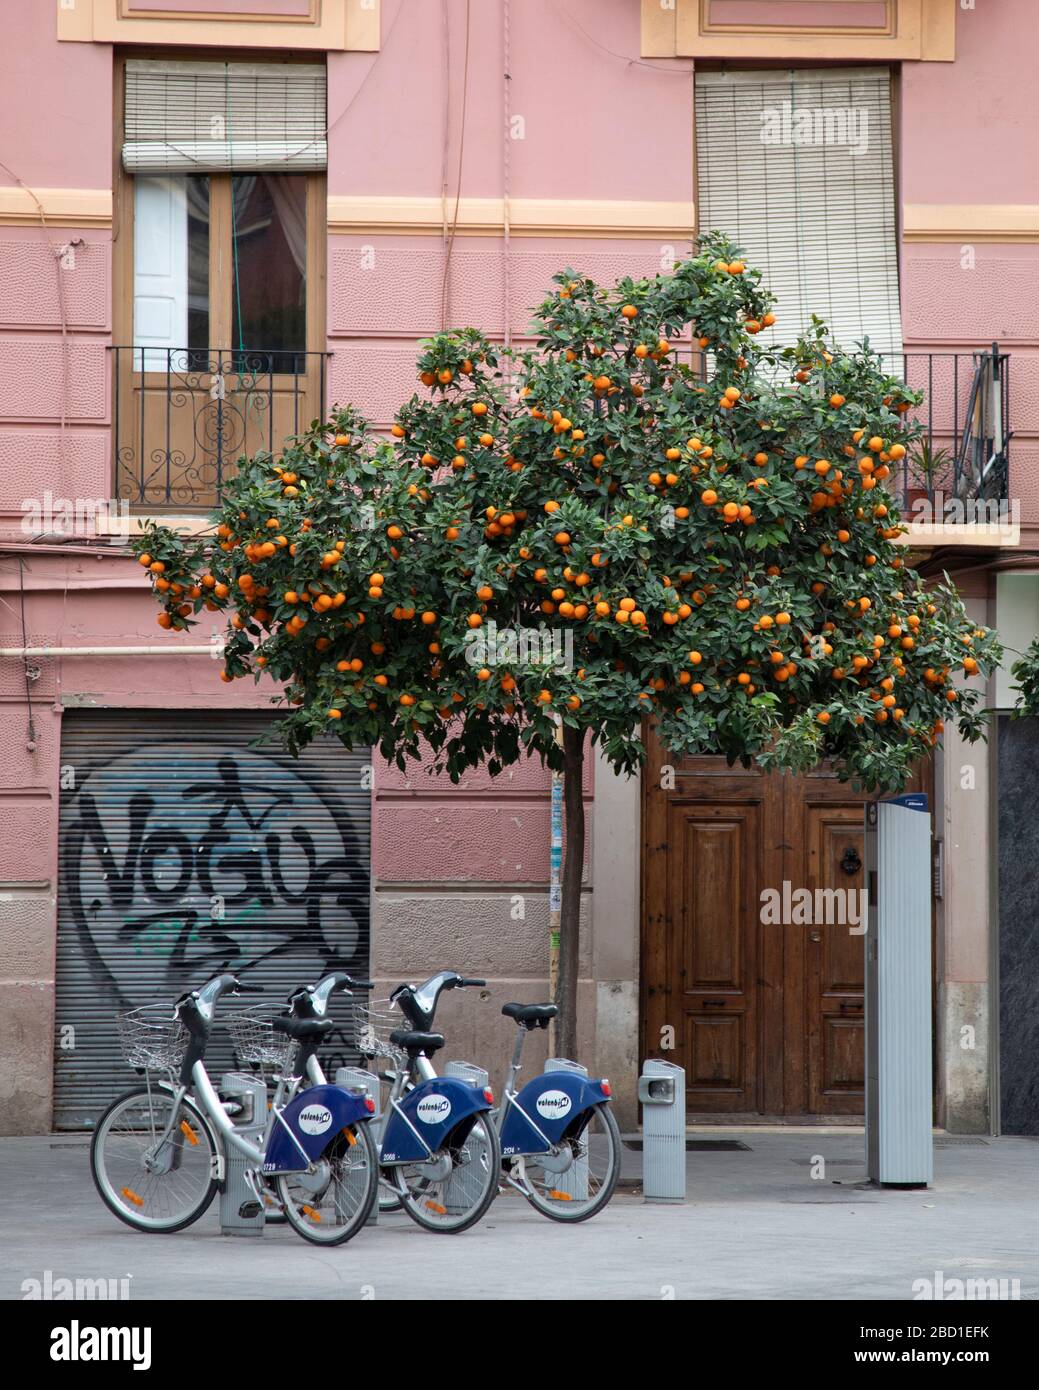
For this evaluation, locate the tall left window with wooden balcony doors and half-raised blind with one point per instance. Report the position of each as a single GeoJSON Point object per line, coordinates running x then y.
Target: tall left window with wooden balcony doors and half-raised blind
{"type": "Point", "coordinates": [220, 288]}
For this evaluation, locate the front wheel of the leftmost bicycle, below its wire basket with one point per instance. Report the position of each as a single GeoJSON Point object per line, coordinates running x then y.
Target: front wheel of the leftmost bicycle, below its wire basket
{"type": "Point", "coordinates": [152, 1168]}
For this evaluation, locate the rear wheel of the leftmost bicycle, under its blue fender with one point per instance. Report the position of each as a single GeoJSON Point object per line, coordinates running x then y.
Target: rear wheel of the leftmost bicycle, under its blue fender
{"type": "Point", "coordinates": [332, 1202]}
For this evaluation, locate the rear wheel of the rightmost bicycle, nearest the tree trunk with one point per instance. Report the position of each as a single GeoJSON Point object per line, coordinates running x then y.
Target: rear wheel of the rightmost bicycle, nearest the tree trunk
{"type": "Point", "coordinates": [578, 1179]}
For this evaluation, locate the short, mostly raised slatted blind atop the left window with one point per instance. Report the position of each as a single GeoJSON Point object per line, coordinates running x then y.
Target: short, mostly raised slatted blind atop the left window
{"type": "Point", "coordinates": [211, 117]}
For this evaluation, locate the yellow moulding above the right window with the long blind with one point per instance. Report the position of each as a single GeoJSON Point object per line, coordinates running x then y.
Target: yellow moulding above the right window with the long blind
{"type": "Point", "coordinates": [913, 30]}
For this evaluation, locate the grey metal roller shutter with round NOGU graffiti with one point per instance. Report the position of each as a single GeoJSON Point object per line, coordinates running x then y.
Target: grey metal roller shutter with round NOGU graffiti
{"type": "Point", "coordinates": [186, 851]}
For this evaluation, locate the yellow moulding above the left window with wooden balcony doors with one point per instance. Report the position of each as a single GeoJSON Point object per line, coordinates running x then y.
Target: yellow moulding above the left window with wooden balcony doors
{"type": "Point", "coordinates": [330, 26]}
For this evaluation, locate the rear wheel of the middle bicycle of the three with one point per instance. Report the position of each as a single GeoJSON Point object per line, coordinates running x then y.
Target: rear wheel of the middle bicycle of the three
{"type": "Point", "coordinates": [453, 1191]}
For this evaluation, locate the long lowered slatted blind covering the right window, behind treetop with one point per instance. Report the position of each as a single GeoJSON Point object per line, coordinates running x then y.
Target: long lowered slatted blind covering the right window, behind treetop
{"type": "Point", "coordinates": [796, 166]}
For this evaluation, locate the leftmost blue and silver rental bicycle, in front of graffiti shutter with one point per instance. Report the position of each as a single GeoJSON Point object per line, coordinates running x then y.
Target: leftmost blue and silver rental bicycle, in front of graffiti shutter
{"type": "Point", "coordinates": [158, 1154]}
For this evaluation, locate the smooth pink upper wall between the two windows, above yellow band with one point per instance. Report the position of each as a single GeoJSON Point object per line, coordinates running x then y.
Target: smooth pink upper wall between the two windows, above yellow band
{"type": "Point", "coordinates": [600, 123]}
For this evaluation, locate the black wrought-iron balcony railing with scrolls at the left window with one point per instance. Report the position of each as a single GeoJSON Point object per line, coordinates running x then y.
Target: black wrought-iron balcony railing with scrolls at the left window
{"type": "Point", "coordinates": [184, 418]}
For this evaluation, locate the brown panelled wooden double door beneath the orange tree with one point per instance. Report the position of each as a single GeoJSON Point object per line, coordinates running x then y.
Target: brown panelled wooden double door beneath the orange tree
{"type": "Point", "coordinates": [753, 938]}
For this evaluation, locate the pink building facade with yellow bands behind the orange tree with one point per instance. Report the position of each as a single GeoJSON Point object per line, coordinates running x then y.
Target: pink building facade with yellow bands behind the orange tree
{"type": "Point", "coordinates": [472, 151]}
